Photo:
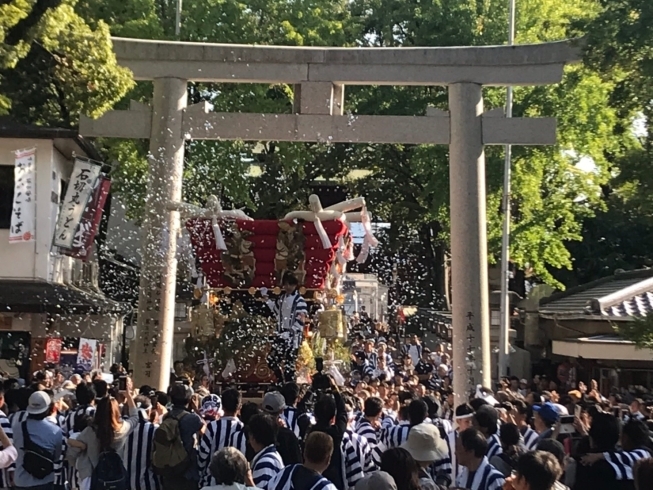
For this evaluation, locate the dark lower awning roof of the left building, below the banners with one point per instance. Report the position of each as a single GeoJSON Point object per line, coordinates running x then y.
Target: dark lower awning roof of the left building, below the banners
{"type": "Point", "coordinates": [33, 296]}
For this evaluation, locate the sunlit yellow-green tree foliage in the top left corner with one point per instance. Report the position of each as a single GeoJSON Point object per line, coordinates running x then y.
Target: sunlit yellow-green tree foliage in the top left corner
{"type": "Point", "coordinates": [53, 66]}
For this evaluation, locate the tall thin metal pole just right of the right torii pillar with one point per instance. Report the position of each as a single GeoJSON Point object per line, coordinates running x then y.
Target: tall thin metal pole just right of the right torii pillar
{"type": "Point", "coordinates": [504, 335]}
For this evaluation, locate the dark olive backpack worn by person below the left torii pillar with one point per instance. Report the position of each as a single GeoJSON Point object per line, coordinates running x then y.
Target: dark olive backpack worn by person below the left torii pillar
{"type": "Point", "coordinates": [169, 456]}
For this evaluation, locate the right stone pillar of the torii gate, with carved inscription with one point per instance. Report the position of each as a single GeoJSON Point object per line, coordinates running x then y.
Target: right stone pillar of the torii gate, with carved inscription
{"type": "Point", "coordinates": [469, 281]}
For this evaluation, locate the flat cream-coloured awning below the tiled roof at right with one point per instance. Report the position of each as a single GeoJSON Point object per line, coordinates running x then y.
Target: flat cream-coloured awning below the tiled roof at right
{"type": "Point", "coordinates": [601, 347]}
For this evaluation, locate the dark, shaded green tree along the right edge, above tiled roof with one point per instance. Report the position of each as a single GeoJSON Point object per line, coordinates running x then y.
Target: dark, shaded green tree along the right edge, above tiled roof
{"type": "Point", "coordinates": [618, 49]}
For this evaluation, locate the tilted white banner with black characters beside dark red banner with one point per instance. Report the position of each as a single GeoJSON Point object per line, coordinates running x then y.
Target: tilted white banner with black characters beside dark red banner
{"type": "Point", "coordinates": [80, 190]}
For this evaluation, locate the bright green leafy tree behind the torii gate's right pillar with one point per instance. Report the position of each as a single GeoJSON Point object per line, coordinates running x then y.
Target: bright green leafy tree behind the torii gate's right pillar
{"type": "Point", "coordinates": [409, 185]}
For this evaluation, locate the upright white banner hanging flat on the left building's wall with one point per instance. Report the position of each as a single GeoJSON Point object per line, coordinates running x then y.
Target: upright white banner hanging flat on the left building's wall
{"type": "Point", "coordinates": [23, 213]}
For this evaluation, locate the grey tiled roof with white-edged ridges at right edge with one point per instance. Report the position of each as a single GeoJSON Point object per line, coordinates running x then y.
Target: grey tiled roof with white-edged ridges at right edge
{"type": "Point", "coordinates": [623, 295]}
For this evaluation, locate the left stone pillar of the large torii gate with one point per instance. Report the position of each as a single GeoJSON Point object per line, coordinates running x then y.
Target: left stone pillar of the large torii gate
{"type": "Point", "coordinates": [156, 301]}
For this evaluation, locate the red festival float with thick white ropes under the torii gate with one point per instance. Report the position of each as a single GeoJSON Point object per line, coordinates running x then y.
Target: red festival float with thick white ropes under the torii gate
{"type": "Point", "coordinates": [237, 256]}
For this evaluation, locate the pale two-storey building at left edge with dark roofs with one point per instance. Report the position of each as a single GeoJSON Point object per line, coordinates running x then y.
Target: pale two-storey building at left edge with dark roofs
{"type": "Point", "coordinates": [45, 294]}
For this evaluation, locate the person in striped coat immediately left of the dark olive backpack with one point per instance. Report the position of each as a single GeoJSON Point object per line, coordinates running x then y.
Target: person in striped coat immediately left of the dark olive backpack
{"type": "Point", "coordinates": [137, 454]}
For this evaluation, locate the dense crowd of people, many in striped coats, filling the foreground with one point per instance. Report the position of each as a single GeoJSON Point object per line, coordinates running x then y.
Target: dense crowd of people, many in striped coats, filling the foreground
{"type": "Point", "coordinates": [390, 425]}
